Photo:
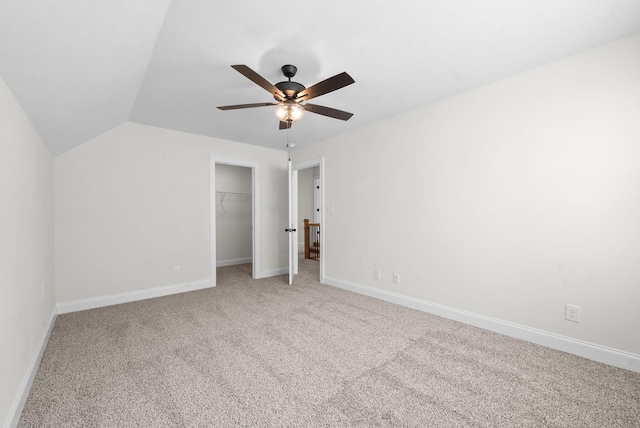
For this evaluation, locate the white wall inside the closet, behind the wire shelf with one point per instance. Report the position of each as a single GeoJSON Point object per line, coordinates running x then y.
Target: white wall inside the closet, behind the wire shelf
{"type": "Point", "coordinates": [233, 214]}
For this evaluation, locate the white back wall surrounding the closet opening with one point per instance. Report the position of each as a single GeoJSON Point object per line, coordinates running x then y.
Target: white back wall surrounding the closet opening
{"type": "Point", "coordinates": [134, 202]}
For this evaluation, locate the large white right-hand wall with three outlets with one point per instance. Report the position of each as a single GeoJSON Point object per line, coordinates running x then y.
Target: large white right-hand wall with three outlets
{"type": "Point", "coordinates": [506, 201]}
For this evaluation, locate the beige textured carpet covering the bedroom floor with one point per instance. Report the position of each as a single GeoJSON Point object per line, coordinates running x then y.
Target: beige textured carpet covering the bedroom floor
{"type": "Point", "coordinates": [262, 353]}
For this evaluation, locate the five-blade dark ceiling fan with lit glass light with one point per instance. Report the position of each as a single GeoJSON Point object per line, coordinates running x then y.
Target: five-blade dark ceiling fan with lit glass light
{"type": "Point", "coordinates": [290, 95]}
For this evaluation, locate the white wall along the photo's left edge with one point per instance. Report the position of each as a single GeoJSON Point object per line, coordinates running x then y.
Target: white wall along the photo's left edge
{"type": "Point", "coordinates": [26, 249]}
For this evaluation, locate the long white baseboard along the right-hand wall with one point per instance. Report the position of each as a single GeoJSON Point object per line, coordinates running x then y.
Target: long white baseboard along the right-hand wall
{"type": "Point", "coordinates": [602, 354]}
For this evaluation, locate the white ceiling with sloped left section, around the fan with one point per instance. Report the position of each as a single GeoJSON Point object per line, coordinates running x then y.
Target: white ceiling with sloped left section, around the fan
{"type": "Point", "coordinates": [82, 67]}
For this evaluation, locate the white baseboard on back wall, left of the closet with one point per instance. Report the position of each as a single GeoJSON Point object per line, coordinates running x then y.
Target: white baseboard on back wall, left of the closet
{"type": "Point", "coordinates": [131, 296]}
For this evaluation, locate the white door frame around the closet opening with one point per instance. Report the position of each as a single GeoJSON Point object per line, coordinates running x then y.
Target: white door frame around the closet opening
{"type": "Point", "coordinates": [255, 213]}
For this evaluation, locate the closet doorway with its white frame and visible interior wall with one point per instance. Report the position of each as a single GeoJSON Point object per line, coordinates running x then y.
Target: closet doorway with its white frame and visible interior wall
{"type": "Point", "coordinates": [232, 215]}
